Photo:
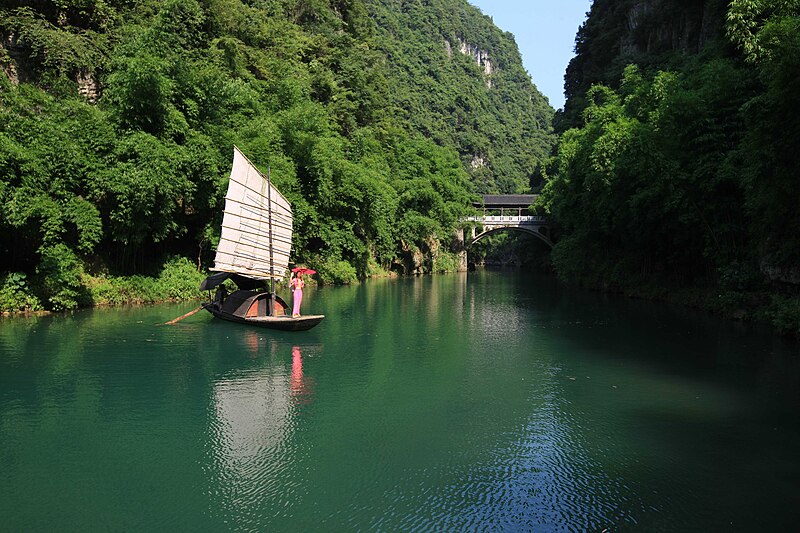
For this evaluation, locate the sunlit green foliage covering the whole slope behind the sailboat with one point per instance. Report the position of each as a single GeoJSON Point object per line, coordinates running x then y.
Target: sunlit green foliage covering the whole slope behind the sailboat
{"type": "Point", "coordinates": [117, 121]}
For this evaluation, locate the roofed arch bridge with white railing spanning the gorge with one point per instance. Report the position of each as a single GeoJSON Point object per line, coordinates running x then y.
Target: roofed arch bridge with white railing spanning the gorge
{"type": "Point", "coordinates": [502, 212]}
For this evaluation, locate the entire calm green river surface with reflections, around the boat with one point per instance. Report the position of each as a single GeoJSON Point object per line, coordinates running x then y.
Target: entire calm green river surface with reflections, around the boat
{"type": "Point", "coordinates": [488, 401]}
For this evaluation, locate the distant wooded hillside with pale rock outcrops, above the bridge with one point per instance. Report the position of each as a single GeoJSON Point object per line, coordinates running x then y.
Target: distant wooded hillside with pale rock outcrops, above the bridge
{"type": "Point", "coordinates": [459, 79]}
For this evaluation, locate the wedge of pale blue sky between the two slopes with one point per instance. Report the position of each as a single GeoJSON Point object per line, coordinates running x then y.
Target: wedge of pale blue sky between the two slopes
{"type": "Point", "coordinates": [545, 33]}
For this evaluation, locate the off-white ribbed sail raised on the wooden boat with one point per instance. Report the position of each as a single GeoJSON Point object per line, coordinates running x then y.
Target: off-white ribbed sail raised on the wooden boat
{"type": "Point", "coordinates": [257, 225]}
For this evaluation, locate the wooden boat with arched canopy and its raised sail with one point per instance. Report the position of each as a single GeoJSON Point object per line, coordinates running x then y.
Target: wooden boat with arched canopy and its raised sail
{"type": "Point", "coordinates": [253, 251]}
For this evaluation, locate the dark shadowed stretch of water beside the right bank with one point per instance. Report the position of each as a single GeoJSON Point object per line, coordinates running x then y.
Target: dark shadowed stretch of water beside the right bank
{"type": "Point", "coordinates": [709, 407]}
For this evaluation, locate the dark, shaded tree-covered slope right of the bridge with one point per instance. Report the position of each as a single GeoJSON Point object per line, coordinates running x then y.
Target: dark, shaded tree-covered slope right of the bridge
{"type": "Point", "coordinates": [683, 171]}
